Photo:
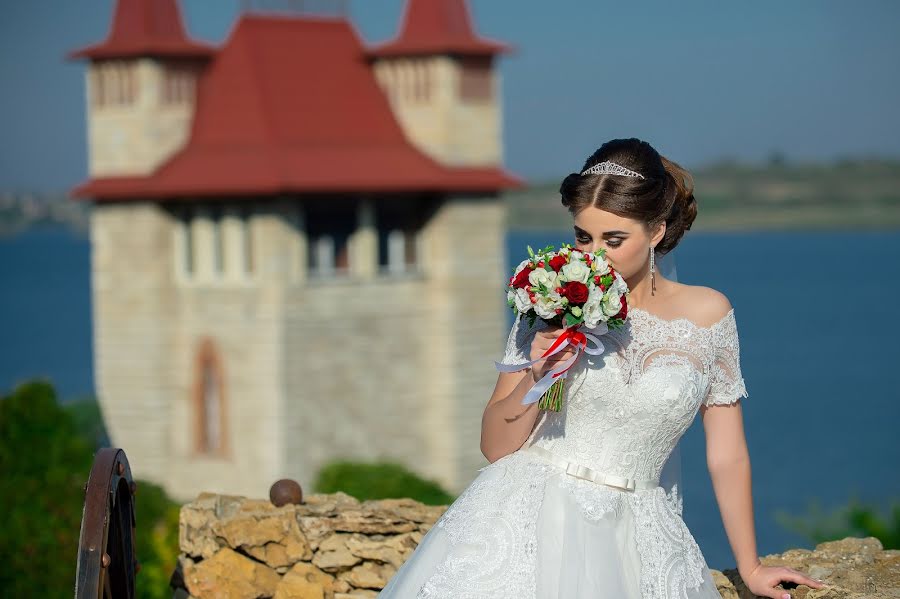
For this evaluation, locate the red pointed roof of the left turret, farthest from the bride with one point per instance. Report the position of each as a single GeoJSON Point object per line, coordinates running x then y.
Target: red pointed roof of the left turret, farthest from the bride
{"type": "Point", "coordinates": [146, 28]}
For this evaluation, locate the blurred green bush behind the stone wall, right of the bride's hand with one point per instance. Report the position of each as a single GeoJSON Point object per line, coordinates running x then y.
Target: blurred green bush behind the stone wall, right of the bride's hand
{"type": "Point", "coordinates": [853, 520]}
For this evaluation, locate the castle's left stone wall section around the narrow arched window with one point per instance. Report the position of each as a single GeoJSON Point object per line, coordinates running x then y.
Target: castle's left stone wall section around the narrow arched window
{"type": "Point", "coordinates": [151, 320]}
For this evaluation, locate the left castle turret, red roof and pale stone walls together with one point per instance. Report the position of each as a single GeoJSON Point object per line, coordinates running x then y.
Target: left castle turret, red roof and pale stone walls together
{"type": "Point", "coordinates": [141, 84]}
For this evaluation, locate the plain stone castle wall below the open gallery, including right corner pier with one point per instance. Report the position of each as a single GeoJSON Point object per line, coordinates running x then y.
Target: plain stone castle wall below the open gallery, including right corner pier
{"type": "Point", "coordinates": [381, 367]}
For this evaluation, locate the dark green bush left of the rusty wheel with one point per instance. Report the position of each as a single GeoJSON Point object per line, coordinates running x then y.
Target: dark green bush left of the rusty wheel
{"type": "Point", "coordinates": [45, 465]}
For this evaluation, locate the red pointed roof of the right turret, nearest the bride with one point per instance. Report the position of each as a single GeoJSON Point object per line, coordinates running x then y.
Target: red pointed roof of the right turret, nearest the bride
{"type": "Point", "coordinates": [437, 27]}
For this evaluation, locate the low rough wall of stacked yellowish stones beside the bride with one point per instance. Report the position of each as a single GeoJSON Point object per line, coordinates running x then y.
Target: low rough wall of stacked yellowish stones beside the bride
{"type": "Point", "coordinates": [335, 547]}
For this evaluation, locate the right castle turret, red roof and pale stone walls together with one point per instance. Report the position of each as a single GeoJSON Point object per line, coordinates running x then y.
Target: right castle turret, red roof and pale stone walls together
{"type": "Point", "coordinates": [440, 78]}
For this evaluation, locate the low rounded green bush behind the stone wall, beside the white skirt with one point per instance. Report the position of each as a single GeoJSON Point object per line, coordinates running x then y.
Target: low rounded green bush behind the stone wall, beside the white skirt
{"type": "Point", "coordinates": [378, 480]}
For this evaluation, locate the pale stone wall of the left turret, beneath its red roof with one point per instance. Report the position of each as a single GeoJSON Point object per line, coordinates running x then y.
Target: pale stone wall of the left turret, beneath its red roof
{"type": "Point", "coordinates": [134, 123]}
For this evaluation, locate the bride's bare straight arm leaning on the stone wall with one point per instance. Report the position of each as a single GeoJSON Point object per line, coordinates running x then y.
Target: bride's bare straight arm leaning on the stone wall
{"type": "Point", "coordinates": [729, 468]}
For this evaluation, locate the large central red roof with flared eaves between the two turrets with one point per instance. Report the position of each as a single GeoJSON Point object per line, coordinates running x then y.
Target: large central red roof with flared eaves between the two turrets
{"type": "Point", "coordinates": [291, 105]}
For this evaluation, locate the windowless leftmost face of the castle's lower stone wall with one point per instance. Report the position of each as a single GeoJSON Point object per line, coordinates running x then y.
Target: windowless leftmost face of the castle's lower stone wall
{"type": "Point", "coordinates": [133, 300]}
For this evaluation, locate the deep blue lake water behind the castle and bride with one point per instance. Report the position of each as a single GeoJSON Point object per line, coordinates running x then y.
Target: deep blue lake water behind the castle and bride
{"type": "Point", "coordinates": [818, 332]}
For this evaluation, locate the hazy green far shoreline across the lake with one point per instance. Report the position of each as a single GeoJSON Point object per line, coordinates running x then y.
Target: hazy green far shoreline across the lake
{"type": "Point", "coordinates": [847, 194]}
